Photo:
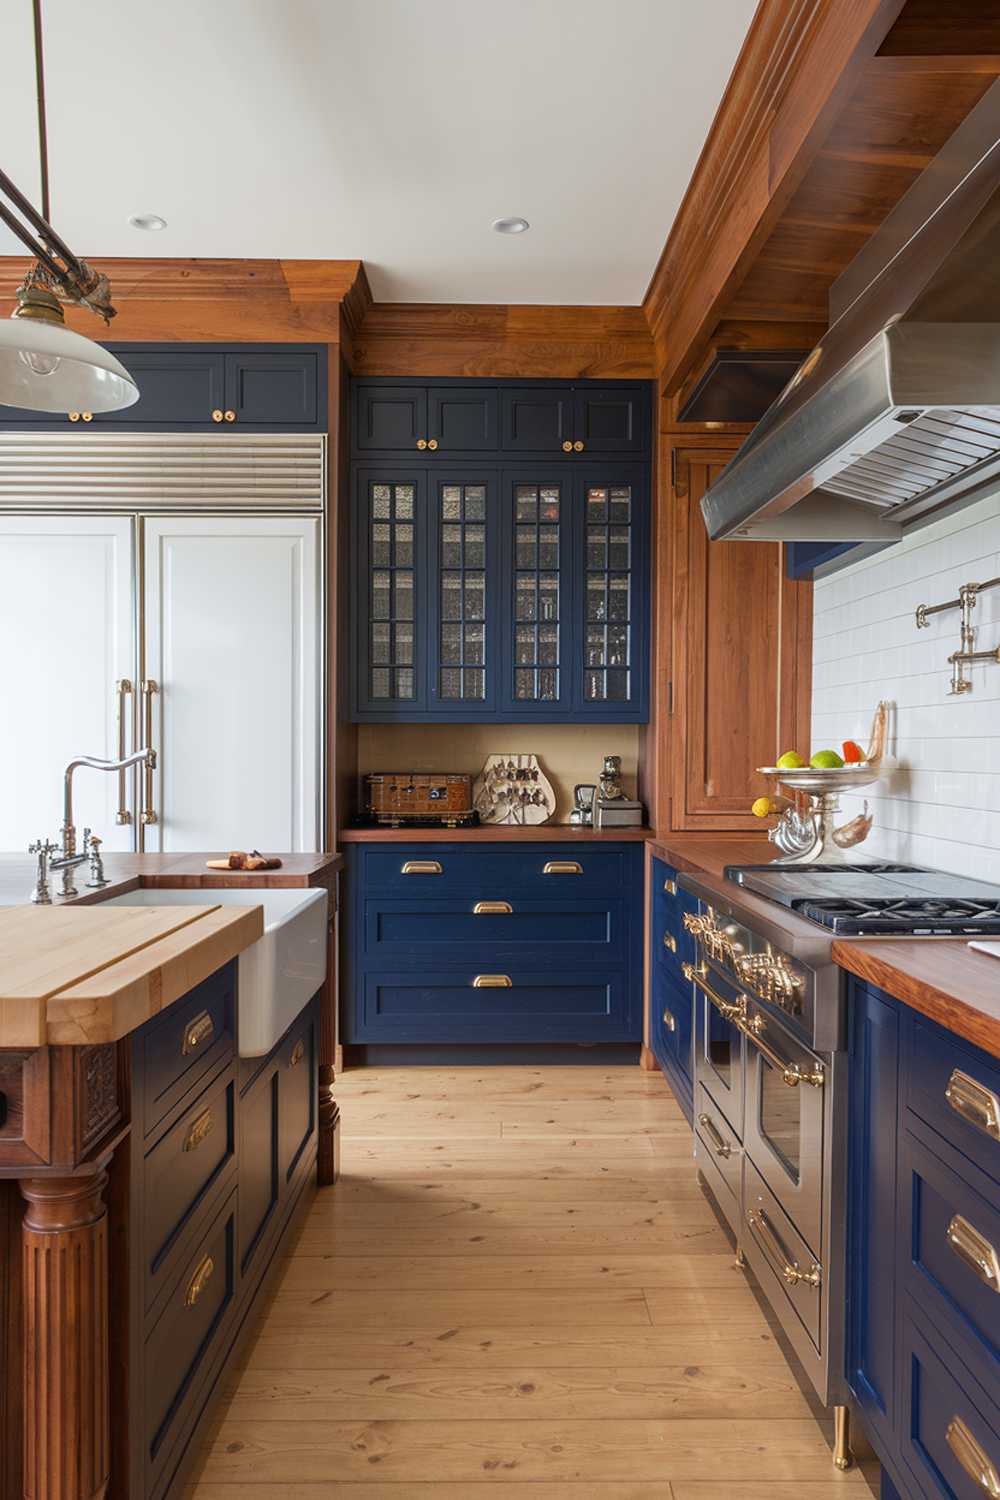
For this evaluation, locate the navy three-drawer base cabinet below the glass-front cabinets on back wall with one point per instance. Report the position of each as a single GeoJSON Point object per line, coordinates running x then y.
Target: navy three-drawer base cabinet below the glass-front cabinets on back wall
{"type": "Point", "coordinates": [455, 943]}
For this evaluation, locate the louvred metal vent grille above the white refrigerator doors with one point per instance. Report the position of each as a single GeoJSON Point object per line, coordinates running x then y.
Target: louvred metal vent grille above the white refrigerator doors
{"type": "Point", "coordinates": [163, 472]}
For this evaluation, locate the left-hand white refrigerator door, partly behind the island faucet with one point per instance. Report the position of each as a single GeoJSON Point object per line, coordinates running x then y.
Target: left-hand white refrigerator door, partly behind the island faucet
{"type": "Point", "coordinates": [67, 620]}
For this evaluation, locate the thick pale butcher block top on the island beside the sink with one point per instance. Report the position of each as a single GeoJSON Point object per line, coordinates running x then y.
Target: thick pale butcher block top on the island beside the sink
{"type": "Point", "coordinates": [79, 976]}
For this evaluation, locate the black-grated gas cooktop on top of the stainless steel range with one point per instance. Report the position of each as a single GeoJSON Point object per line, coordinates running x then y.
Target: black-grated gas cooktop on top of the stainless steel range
{"type": "Point", "coordinates": [857, 899]}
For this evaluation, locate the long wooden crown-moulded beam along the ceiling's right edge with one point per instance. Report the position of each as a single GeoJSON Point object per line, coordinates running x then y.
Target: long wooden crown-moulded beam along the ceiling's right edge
{"type": "Point", "coordinates": [798, 68]}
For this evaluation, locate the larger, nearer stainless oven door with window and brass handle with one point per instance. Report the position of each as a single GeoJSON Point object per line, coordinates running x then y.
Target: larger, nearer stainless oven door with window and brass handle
{"type": "Point", "coordinates": [785, 1127]}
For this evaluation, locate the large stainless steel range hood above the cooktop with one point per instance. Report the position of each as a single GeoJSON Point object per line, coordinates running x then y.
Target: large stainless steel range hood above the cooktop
{"type": "Point", "coordinates": [896, 416]}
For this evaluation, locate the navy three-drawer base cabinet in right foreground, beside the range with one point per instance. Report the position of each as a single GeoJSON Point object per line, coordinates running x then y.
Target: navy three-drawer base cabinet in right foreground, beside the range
{"type": "Point", "coordinates": [924, 1246]}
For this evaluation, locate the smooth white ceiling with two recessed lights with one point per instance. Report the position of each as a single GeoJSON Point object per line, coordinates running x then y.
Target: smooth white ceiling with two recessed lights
{"type": "Point", "coordinates": [395, 131]}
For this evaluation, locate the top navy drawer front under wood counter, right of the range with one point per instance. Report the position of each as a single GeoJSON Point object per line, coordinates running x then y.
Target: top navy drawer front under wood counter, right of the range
{"type": "Point", "coordinates": [957, 1091]}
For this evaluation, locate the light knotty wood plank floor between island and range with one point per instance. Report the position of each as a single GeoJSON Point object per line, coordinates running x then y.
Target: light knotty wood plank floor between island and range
{"type": "Point", "coordinates": [516, 1289]}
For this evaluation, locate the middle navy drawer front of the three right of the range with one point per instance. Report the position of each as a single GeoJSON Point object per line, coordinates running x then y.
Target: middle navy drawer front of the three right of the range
{"type": "Point", "coordinates": [951, 1250]}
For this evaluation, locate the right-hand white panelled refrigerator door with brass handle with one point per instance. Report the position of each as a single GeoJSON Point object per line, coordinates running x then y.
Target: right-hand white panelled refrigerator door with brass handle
{"type": "Point", "coordinates": [232, 641]}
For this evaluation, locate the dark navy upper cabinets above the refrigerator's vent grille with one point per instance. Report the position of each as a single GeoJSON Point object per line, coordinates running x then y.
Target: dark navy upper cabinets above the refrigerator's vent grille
{"type": "Point", "coordinates": [208, 386]}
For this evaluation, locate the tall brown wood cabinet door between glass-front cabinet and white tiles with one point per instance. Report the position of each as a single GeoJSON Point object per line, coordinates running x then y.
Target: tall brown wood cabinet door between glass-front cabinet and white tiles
{"type": "Point", "coordinates": [741, 661]}
